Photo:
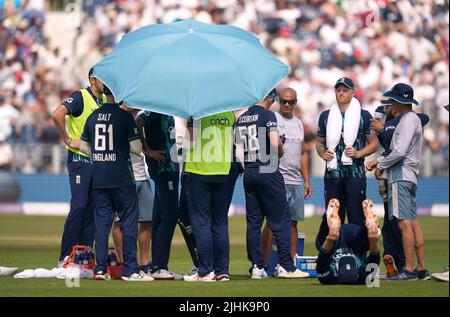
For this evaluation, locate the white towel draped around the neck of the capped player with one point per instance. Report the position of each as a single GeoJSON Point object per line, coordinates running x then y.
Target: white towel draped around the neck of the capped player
{"type": "Point", "coordinates": [334, 127]}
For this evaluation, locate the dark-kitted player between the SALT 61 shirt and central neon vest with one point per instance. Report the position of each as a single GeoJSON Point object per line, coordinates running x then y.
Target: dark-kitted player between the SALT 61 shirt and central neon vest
{"type": "Point", "coordinates": [161, 156]}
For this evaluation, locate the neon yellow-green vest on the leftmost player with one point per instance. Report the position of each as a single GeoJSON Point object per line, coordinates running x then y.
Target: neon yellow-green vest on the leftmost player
{"type": "Point", "coordinates": [76, 124]}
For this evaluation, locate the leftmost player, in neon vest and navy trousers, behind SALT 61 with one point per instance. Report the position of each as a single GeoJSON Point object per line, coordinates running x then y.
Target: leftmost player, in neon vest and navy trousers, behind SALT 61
{"type": "Point", "coordinates": [79, 227]}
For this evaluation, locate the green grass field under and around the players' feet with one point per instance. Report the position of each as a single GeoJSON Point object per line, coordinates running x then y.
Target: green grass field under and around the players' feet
{"type": "Point", "coordinates": [33, 241]}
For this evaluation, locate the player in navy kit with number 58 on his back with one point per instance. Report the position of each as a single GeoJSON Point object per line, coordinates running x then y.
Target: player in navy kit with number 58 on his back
{"type": "Point", "coordinates": [265, 193]}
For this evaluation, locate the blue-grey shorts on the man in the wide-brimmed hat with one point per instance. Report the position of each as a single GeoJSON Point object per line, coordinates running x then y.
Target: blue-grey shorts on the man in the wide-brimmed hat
{"type": "Point", "coordinates": [402, 200]}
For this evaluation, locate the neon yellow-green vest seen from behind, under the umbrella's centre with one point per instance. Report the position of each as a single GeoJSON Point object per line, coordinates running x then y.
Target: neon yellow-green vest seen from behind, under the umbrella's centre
{"type": "Point", "coordinates": [212, 152]}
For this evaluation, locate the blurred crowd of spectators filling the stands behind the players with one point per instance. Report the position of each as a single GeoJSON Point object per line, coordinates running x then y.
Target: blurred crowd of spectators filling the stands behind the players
{"type": "Point", "coordinates": [47, 47]}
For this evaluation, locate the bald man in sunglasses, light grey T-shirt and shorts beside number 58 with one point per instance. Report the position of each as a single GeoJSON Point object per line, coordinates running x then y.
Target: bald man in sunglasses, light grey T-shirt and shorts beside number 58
{"type": "Point", "coordinates": [293, 167]}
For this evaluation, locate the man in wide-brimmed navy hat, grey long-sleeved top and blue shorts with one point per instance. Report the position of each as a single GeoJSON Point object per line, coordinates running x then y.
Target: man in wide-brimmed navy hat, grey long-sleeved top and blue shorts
{"type": "Point", "coordinates": [403, 164]}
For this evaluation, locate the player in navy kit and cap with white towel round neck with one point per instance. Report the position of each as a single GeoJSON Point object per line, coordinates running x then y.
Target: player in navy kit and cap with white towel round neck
{"type": "Point", "coordinates": [347, 182]}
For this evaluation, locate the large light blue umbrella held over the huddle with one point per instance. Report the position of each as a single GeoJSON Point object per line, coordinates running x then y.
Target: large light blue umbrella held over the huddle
{"type": "Point", "coordinates": [189, 68]}
